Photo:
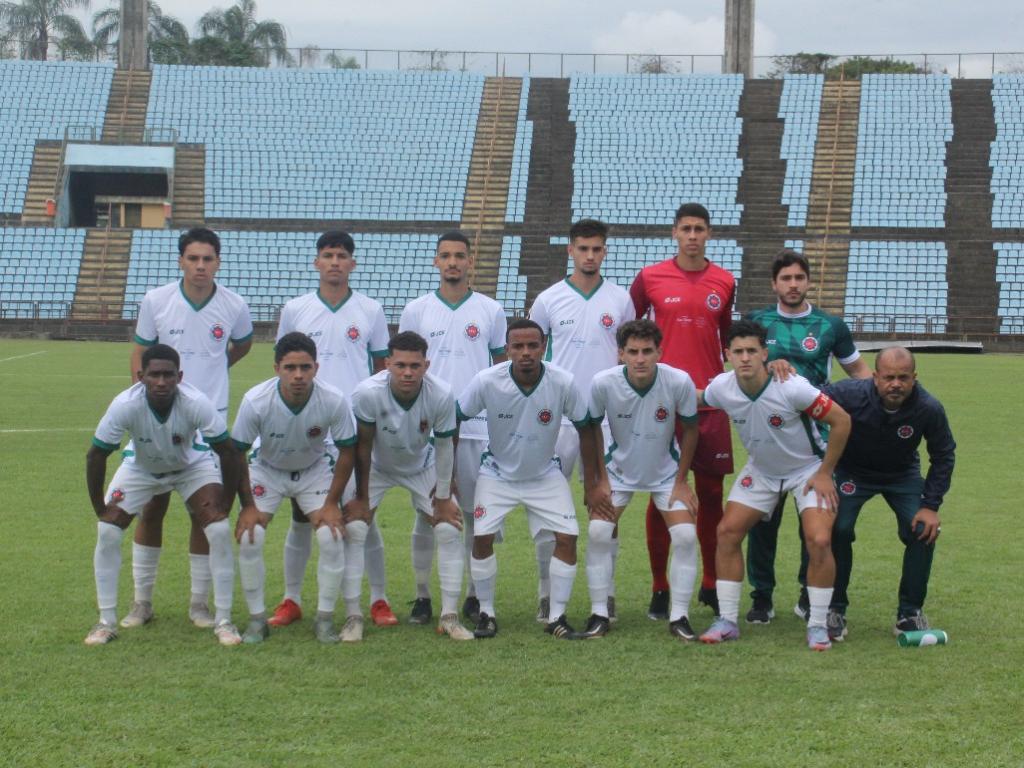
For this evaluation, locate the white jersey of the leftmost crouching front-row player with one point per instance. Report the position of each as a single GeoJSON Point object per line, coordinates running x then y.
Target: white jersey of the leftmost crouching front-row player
{"type": "Point", "coordinates": [162, 446]}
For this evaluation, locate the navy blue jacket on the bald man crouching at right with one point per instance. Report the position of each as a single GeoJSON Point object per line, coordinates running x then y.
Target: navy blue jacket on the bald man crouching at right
{"type": "Point", "coordinates": [883, 448]}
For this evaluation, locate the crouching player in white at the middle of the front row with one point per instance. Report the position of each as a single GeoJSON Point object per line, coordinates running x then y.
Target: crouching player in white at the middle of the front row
{"type": "Point", "coordinates": [525, 401]}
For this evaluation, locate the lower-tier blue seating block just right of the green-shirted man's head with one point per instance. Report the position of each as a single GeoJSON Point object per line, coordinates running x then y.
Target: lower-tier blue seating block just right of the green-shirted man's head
{"type": "Point", "coordinates": [897, 287]}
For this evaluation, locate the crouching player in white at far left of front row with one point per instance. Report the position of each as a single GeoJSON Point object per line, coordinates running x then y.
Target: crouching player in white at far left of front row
{"type": "Point", "coordinates": [162, 416]}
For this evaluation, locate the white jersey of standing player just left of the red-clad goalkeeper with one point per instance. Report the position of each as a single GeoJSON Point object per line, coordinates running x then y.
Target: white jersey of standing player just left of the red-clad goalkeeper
{"type": "Point", "coordinates": [581, 328]}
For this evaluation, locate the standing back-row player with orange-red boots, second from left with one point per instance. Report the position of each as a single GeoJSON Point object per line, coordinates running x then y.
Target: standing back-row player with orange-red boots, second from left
{"type": "Point", "coordinates": [351, 332]}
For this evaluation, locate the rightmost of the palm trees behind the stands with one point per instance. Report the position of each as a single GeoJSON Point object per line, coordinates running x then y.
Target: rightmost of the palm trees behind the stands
{"type": "Point", "coordinates": [238, 35]}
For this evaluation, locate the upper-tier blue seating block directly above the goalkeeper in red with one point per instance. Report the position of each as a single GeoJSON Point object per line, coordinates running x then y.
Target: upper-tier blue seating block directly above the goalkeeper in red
{"type": "Point", "coordinates": [648, 143]}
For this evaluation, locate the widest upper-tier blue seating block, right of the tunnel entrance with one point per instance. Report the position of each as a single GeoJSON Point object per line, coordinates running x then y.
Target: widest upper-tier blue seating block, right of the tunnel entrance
{"type": "Point", "coordinates": [286, 144]}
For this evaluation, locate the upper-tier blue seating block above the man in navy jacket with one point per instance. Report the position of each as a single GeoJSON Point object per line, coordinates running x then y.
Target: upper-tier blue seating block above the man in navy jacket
{"type": "Point", "coordinates": [906, 122]}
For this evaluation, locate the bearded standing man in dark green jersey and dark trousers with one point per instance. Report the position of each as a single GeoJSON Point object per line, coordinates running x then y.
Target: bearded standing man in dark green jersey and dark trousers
{"type": "Point", "coordinates": [807, 338]}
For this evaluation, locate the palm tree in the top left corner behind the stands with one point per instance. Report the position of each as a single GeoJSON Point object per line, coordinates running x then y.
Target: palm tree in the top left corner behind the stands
{"type": "Point", "coordinates": [34, 23]}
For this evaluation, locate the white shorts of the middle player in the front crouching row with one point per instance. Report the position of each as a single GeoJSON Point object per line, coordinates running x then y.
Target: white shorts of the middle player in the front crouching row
{"type": "Point", "coordinates": [548, 501]}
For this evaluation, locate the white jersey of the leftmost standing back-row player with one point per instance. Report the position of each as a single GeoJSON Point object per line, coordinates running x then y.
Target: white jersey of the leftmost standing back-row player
{"type": "Point", "coordinates": [199, 333]}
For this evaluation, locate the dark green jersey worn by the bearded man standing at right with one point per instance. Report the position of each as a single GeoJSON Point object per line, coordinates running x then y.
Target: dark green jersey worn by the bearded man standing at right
{"type": "Point", "coordinates": [808, 342]}
